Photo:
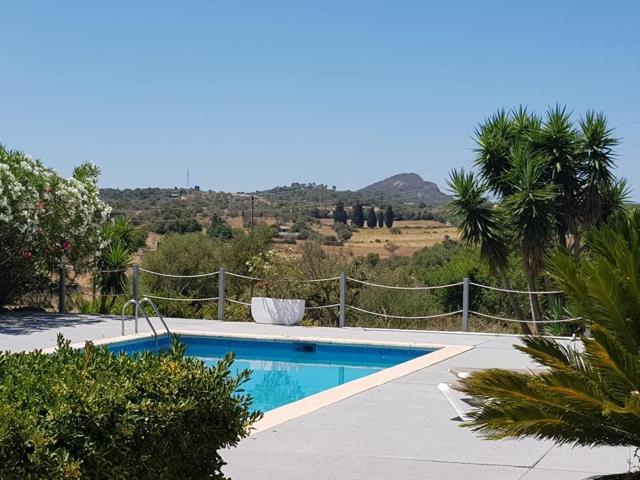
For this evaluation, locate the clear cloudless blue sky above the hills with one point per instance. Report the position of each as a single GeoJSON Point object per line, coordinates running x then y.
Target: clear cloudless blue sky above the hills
{"type": "Point", "coordinates": [251, 94]}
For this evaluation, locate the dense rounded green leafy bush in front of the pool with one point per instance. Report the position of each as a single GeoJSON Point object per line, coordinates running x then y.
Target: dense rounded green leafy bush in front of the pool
{"type": "Point", "coordinates": [93, 414]}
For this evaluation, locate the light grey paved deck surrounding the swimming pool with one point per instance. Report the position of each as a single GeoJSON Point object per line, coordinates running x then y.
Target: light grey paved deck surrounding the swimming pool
{"type": "Point", "coordinates": [404, 429]}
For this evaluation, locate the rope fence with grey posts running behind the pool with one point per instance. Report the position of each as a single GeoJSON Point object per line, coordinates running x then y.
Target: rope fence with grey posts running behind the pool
{"type": "Point", "coordinates": [346, 285]}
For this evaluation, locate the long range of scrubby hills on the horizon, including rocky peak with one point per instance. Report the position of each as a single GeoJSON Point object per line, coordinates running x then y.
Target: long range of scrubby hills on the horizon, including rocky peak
{"type": "Point", "coordinates": [183, 210]}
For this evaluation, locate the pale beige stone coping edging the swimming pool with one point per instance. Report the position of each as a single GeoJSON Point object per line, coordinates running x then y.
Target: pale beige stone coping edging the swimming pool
{"type": "Point", "coordinates": [327, 397]}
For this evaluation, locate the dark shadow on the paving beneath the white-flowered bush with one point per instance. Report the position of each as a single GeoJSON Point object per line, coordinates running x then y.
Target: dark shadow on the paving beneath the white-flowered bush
{"type": "Point", "coordinates": [21, 323]}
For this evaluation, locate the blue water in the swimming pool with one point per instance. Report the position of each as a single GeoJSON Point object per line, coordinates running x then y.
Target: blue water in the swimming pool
{"type": "Point", "coordinates": [284, 371]}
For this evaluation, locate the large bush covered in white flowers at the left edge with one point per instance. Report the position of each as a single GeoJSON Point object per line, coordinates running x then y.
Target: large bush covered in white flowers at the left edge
{"type": "Point", "coordinates": [44, 216]}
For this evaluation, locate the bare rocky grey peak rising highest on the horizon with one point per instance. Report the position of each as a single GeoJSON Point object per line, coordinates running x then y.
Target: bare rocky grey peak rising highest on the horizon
{"type": "Point", "coordinates": [408, 187]}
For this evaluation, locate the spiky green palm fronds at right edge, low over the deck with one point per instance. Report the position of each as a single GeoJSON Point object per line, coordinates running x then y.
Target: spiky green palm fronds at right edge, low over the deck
{"type": "Point", "coordinates": [587, 396]}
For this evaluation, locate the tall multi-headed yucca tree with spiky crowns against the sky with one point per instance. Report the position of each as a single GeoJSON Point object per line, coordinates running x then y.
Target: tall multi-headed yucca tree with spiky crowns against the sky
{"type": "Point", "coordinates": [549, 181]}
